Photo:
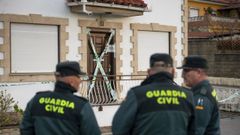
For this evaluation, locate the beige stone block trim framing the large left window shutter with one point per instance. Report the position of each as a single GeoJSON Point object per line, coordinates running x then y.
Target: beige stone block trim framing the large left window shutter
{"type": "Point", "coordinates": [29, 19]}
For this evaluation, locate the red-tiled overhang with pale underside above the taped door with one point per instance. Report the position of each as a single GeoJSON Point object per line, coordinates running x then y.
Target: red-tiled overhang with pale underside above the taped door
{"type": "Point", "coordinates": [121, 8]}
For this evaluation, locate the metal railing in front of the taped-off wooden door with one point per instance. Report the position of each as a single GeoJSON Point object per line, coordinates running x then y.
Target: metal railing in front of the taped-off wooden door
{"type": "Point", "coordinates": [101, 93]}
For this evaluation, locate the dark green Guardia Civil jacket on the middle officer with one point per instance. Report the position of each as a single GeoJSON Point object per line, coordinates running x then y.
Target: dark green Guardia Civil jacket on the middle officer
{"type": "Point", "coordinates": [157, 107]}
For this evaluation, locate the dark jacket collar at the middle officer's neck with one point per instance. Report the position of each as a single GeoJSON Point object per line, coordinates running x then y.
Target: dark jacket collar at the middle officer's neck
{"type": "Point", "coordinates": [158, 77]}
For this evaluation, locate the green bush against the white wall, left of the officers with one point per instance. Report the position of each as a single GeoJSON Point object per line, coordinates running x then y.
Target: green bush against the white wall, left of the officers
{"type": "Point", "coordinates": [10, 113]}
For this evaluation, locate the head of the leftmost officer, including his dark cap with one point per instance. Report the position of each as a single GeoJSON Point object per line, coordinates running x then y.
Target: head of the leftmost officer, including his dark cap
{"type": "Point", "coordinates": [69, 72]}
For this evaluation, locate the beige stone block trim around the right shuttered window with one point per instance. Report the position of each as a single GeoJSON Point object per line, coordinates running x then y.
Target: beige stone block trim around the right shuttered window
{"type": "Point", "coordinates": [150, 27]}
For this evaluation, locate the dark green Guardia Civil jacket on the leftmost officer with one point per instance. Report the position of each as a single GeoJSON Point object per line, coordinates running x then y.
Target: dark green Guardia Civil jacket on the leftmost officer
{"type": "Point", "coordinates": [59, 113]}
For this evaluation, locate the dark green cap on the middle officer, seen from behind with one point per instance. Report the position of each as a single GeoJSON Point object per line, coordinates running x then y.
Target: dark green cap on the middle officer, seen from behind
{"type": "Point", "coordinates": [161, 57]}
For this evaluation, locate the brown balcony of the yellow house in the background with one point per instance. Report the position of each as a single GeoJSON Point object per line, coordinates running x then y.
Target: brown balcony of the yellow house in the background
{"type": "Point", "coordinates": [212, 26]}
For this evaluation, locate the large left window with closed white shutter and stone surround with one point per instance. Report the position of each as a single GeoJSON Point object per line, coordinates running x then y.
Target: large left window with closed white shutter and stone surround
{"type": "Point", "coordinates": [31, 46]}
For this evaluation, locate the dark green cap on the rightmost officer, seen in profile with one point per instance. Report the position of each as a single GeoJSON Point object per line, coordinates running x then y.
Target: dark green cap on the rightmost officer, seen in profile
{"type": "Point", "coordinates": [194, 62]}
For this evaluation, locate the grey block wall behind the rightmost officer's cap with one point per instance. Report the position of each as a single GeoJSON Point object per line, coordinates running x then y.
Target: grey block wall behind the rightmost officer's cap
{"type": "Point", "coordinates": [221, 63]}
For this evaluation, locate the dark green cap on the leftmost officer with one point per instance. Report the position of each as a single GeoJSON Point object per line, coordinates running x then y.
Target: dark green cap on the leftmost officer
{"type": "Point", "coordinates": [68, 68]}
